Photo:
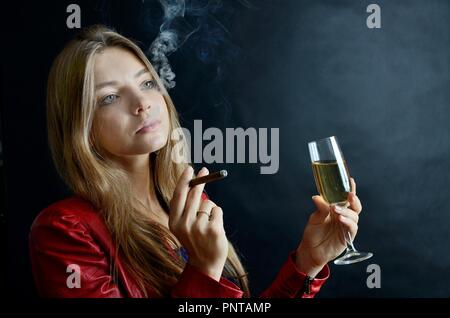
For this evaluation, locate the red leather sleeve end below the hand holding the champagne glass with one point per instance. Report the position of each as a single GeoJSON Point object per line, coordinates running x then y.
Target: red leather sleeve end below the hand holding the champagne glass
{"type": "Point", "coordinates": [291, 283]}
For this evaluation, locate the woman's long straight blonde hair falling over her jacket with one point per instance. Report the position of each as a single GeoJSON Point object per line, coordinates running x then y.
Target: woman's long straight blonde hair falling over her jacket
{"type": "Point", "coordinates": [143, 245]}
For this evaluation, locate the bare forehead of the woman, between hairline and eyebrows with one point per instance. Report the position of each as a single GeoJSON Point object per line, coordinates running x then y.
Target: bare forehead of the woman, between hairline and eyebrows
{"type": "Point", "coordinates": [114, 63]}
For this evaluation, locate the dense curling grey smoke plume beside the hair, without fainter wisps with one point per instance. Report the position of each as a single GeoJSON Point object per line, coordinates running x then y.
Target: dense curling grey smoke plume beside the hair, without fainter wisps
{"type": "Point", "coordinates": [173, 33]}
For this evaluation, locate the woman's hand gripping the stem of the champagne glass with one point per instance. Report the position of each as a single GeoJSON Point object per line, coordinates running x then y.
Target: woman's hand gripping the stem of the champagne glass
{"type": "Point", "coordinates": [323, 237]}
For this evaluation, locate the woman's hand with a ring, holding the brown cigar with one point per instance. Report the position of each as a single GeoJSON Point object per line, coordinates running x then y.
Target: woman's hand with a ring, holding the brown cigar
{"type": "Point", "coordinates": [203, 236]}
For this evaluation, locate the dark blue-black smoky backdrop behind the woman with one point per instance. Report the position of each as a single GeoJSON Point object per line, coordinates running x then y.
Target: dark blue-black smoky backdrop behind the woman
{"type": "Point", "coordinates": [312, 69]}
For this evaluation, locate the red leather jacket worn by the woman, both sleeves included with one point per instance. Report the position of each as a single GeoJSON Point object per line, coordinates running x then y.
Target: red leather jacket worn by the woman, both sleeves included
{"type": "Point", "coordinates": [72, 232]}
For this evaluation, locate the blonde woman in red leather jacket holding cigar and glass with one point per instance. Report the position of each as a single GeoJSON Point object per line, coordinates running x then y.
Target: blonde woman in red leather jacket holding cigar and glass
{"type": "Point", "coordinates": [134, 228]}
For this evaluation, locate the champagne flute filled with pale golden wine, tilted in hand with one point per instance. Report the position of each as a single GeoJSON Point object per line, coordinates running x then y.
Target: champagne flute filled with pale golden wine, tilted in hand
{"type": "Point", "coordinates": [333, 183]}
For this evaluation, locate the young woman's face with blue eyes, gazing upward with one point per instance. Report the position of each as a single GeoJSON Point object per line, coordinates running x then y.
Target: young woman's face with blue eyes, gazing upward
{"type": "Point", "coordinates": [131, 117]}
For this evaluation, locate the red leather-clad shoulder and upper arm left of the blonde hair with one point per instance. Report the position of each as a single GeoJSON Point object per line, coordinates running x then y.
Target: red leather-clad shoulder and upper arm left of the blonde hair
{"type": "Point", "coordinates": [70, 237]}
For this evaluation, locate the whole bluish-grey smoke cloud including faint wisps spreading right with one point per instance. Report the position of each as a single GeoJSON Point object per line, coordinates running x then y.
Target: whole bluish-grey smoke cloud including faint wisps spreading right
{"type": "Point", "coordinates": [211, 44]}
